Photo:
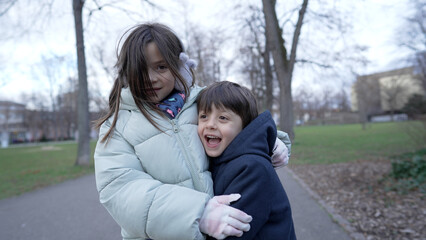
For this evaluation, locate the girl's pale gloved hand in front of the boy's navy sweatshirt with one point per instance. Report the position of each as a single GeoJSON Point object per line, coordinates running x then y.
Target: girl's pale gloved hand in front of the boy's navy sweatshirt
{"type": "Point", "coordinates": [220, 220]}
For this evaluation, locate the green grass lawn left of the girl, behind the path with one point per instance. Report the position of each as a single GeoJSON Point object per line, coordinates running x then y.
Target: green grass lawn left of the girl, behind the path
{"type": "Point", "coordinates": [24, 169]}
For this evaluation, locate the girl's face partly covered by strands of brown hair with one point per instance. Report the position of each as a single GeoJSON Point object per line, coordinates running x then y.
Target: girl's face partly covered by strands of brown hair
{"type": "Point", "coordinates": [162, 79]}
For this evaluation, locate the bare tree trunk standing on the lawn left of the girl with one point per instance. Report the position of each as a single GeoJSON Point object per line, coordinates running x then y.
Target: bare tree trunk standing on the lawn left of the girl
{"type": "Point", "coordinates": [83, 157]}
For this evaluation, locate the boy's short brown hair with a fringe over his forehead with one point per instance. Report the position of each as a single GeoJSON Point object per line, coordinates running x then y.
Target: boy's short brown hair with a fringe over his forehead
{"type": "Point", "coordinates": [229, 95]}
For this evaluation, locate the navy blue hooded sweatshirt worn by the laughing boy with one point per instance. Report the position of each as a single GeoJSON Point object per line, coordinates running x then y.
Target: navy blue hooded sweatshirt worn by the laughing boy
{"type": "Point", "coordinates": [245, 168]}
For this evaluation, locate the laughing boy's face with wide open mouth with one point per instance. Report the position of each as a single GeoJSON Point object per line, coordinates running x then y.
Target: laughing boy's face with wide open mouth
{"type": "Point", "coordinates": [217, 129]}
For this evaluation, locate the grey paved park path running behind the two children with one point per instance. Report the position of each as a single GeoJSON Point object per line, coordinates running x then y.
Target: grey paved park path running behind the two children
{"type": "Point", "coordinates": [71, 211]}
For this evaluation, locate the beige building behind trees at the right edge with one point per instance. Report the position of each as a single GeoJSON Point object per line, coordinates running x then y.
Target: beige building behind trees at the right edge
{"type": "Point", "coordinates": [385, 92]}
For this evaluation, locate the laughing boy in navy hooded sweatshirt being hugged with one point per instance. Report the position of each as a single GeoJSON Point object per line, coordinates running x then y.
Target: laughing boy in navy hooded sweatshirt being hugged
{"type": "Point", "coordinates": [239, 143]}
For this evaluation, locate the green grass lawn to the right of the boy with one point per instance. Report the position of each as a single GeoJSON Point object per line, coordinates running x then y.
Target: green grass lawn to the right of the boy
{"type": "Point", "coordinates": [344, 143]}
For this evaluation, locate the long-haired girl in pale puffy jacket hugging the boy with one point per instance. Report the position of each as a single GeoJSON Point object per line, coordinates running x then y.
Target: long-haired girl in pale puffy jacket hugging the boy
{"type": "Point", "coordinates": [151, 170]}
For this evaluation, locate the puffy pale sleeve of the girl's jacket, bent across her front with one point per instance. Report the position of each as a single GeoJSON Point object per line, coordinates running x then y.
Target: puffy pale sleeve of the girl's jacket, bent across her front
{"type": "Point", "coordinates": [142, 206]}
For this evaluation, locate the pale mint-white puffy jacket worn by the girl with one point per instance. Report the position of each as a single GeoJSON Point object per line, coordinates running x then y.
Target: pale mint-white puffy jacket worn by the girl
{"type": "Point", "coordinates": [154, 184]}
